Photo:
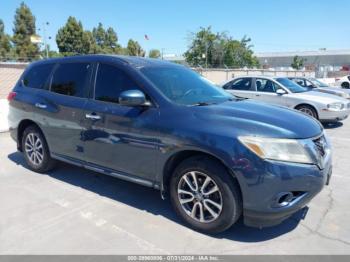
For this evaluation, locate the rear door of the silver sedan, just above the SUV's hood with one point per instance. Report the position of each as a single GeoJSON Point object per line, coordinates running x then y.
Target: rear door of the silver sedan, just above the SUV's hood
{"type": "Point", "coordinates": [241, 87]}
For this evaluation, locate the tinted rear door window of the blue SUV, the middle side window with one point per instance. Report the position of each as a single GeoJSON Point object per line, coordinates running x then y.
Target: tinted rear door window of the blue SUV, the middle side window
{"type": "Point", "coordinates": [71, 79]}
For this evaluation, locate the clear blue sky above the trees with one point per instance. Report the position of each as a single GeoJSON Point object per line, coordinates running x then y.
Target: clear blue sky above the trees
{"type": "Point", "coordinates": [273, 25]}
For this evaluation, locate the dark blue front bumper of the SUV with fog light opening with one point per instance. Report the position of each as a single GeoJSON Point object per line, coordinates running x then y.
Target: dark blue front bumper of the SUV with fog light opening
{"type": "Point", "coordinates": [263, 182]}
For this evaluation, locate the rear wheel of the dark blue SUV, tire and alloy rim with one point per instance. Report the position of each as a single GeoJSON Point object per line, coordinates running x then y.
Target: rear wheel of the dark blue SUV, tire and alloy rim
{"type": "Point", "coordinates": [35, 150]}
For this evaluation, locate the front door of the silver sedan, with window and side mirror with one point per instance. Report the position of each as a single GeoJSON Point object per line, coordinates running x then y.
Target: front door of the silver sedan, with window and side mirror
{"type": "Point", "coordinates": [266, 92]}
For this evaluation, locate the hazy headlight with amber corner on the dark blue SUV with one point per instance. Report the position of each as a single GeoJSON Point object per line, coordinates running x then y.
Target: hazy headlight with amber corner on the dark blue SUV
{"type": "Point", "coordinates": [289, 150]}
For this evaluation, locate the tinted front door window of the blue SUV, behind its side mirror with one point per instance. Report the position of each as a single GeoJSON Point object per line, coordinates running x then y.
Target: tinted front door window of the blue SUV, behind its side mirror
{"type": "Point", "coordinates": [110, 82]}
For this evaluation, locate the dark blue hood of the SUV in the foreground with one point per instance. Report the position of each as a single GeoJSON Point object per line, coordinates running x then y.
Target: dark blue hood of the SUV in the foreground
{"type": "Point", "coordinates": [247, 117]}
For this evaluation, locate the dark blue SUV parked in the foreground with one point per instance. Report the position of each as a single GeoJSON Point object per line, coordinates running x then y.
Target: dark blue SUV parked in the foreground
{"type": "Point", "coordinates": [162, 125]}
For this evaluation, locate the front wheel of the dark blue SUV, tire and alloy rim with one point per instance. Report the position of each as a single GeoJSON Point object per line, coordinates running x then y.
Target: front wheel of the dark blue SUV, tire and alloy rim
{"type": "Point", "coordinates": [228, 195]}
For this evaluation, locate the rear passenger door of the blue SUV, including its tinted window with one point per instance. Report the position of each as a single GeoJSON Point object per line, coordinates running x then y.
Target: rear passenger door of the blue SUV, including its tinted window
{"type": "Point", "coordinates": [60, 109]}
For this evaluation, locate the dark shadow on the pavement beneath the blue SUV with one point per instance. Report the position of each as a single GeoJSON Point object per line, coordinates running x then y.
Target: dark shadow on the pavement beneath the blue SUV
{"type": "Point", "coordinates": [148, 199]}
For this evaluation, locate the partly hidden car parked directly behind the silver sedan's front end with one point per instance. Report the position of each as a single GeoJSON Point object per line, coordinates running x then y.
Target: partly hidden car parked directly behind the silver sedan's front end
{"type": "Point", "coordinates": [316, 85]}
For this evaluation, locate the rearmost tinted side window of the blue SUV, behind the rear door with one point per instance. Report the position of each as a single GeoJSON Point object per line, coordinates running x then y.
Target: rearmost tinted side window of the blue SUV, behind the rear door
{"type": "Point", "coordinates": [37, 76]}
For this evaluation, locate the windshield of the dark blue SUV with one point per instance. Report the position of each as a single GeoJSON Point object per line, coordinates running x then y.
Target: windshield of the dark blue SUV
{"type": "Point", "coordinates": [184, 86]}
